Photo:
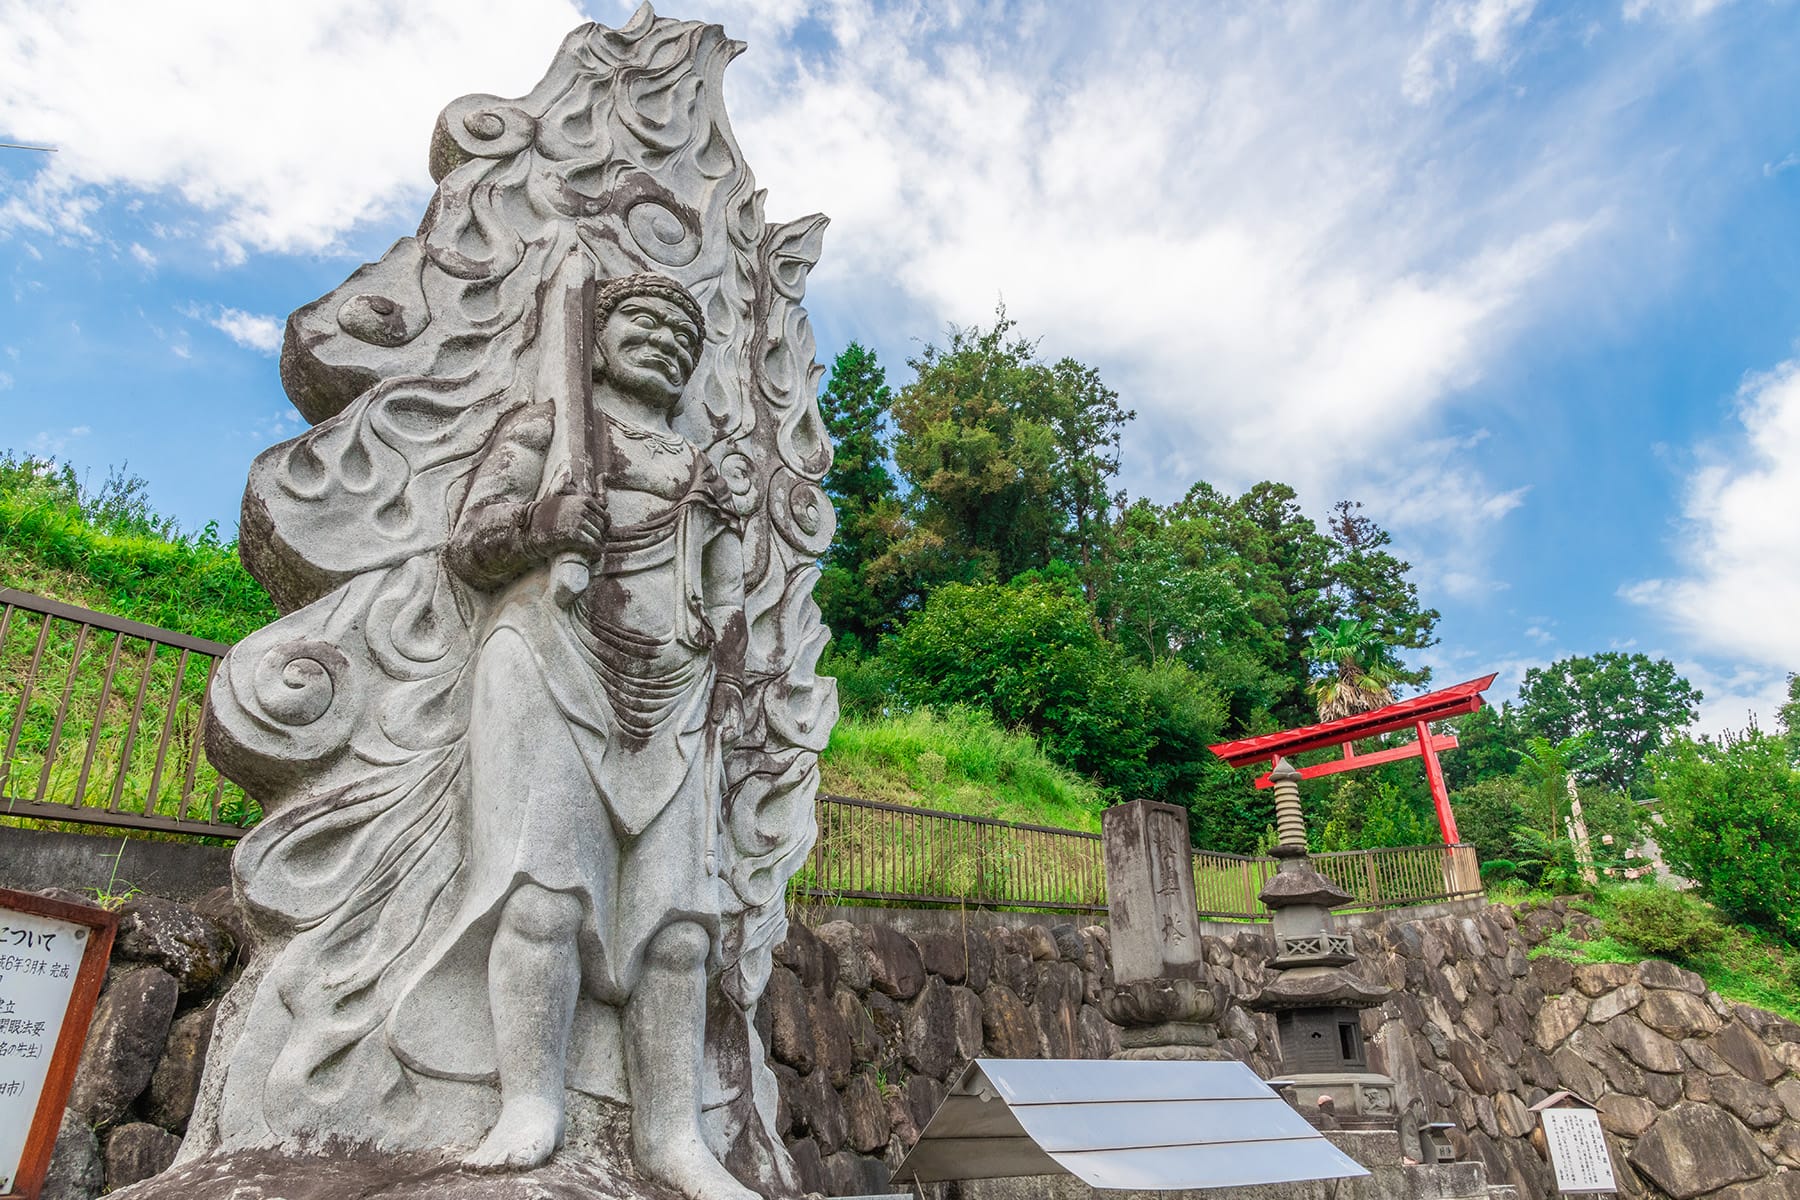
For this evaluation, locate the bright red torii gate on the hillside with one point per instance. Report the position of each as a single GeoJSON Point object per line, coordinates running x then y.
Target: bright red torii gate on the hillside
{"type": "Point", "coordinates": [1416, 713]}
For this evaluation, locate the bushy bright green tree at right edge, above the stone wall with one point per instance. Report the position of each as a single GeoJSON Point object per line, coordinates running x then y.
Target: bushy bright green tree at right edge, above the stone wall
{"type": "Point", "coordinates": [1732, 825]}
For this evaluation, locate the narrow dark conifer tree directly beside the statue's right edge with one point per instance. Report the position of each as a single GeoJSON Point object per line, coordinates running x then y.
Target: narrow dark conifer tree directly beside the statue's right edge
{"type": "Point", "coordinates": [856, 402]}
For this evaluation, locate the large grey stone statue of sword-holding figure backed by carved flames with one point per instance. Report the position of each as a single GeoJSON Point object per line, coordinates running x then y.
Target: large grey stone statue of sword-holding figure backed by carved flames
{"type": "Point", "coordinates": [537, 737]}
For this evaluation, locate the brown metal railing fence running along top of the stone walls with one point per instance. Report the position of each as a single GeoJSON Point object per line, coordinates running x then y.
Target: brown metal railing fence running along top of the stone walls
{"type": "Point", "coordinates": [103, 722]}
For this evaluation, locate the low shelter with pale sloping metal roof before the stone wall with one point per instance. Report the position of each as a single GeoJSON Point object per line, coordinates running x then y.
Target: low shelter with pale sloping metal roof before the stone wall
{"type": "Point", "coordinates": [1126, 1125]}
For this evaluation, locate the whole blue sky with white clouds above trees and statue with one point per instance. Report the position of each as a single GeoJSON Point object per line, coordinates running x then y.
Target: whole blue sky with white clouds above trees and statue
{"type": "Point", "coordinates": [1525, 280]}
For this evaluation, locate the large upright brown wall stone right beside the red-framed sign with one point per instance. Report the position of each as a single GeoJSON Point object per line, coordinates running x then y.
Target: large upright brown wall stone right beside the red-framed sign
{"type": "Point", "coordinates": [125, 1043]}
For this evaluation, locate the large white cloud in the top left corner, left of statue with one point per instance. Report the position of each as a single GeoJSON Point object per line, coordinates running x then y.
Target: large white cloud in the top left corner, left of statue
{"type": "Point", "coordinates": [287, 123]}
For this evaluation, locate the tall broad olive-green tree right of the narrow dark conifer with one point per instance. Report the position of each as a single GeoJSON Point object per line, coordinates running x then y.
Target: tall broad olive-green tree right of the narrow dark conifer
{"type": "Point", "coordinates": [1009, 458]}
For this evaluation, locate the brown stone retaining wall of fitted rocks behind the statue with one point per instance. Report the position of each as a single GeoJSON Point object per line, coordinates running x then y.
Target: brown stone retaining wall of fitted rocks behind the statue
{"type": "Point", "coordinates": [867, 1026]}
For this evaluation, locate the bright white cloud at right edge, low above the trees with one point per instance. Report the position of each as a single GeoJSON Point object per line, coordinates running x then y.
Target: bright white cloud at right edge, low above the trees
{"type": "Point", "coordinates": [1740, 541]}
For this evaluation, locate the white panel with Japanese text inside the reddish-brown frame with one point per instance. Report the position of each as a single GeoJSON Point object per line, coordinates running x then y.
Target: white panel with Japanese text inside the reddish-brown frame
{"type": "Point", "coordinates": [39, 962]}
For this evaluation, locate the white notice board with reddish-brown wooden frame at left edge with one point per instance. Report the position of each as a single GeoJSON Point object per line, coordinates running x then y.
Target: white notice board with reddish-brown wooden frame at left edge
{"type": "Point", "coordinates": [53, 963]}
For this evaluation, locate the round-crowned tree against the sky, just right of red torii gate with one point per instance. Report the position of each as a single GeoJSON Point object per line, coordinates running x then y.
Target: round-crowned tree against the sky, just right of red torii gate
{"type": "Point", "coordinates": [1626, 704]}
